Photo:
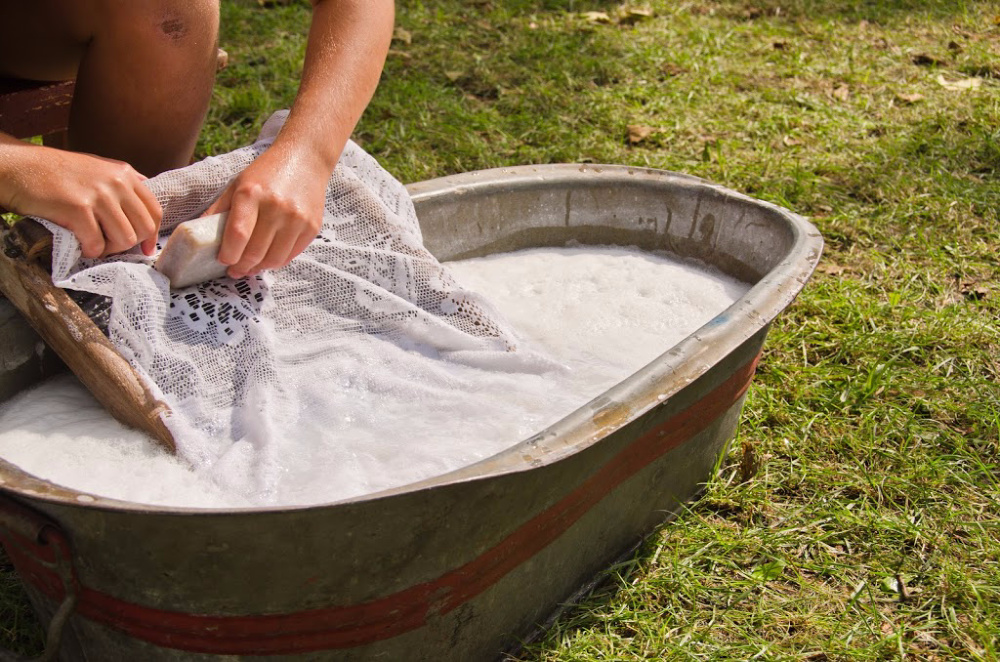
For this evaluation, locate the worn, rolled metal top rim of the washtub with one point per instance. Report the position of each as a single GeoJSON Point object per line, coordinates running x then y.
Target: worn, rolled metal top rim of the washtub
{"type": "Point", "coordinates": [681, 364]}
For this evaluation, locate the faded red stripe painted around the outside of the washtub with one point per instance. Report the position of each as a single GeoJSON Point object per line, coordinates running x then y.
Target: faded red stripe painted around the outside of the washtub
{"type": "Point", "coordinates": [376, 620]}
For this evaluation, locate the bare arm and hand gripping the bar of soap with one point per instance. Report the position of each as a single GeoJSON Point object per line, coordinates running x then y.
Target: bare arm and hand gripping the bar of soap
{"type": "Point", "coordinates": [276, 204]}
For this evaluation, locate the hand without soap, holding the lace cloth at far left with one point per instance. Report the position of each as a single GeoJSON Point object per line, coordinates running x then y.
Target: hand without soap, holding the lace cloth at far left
{"type": "Point", "coordinates": [102, 201]}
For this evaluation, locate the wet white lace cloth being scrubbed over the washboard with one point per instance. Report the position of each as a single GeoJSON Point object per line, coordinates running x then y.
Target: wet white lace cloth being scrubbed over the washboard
{"type": "Point", "coordinates": [246, 365]}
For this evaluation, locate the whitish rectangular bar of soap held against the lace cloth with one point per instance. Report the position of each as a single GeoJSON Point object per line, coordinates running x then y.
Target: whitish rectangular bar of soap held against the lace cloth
{"type": "Point", "coordinates": [190, 255]}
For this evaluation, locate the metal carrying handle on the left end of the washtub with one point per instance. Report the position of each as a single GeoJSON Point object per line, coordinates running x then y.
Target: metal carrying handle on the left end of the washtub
{"type": "Point", "coordinates": [28, 533]}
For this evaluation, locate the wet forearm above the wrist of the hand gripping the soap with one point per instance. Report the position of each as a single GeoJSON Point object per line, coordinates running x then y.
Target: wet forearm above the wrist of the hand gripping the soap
{"type": "Point", "coordinates": [347, 47]}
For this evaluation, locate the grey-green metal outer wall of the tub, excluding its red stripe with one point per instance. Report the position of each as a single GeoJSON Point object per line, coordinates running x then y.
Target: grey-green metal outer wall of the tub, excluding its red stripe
{"type": "Point", "coordinates": [289, 562]}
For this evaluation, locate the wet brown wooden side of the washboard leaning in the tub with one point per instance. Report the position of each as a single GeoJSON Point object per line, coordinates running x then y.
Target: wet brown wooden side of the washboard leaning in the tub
{"type": "Point", "coordinates": [81, 345]}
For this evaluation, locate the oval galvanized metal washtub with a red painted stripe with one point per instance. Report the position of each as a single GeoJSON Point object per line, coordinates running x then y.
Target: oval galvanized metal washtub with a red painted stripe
{"type": "Point", "coordinates": [461, 566]}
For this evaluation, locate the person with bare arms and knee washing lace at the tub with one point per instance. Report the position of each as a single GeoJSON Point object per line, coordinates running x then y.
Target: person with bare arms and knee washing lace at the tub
{"type": "Point", "coordinates": [142, 123]}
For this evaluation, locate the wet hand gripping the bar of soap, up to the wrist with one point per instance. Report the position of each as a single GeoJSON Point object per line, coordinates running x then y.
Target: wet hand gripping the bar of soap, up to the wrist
{"type": "Point", "coordinates": [275, 210]}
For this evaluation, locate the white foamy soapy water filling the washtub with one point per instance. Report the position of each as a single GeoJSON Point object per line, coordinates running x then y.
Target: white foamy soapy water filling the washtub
{"type": "Point", "coordinates": [600, 313]}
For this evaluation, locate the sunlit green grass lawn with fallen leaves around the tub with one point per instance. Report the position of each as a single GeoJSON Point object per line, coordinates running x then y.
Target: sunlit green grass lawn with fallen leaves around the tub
{"type": "Point", "coordinates": [872, 529]}
